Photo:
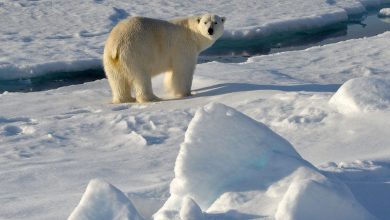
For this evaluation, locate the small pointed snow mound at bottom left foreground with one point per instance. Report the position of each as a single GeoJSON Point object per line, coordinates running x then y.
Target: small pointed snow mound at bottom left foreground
{"type": "Point", "coordinates": [102, 201]}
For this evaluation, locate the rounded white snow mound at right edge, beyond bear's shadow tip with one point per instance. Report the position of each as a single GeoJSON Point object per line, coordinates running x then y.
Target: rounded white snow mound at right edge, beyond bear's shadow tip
{"type": "Point", "coordinates": [362, 94]}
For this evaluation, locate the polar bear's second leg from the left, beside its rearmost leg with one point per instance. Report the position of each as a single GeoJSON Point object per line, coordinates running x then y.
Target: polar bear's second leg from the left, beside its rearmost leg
{"type": "Point", "coordinates": [143, 89]}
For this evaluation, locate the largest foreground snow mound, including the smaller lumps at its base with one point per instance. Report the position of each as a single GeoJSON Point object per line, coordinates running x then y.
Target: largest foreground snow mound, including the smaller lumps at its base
{"type": "Point", "coordinates": [234, 167]}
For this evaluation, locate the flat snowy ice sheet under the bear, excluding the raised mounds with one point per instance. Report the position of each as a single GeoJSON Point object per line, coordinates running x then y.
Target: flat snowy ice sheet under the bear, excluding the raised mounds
{"type": "Point", "coordinates": [54, 142]}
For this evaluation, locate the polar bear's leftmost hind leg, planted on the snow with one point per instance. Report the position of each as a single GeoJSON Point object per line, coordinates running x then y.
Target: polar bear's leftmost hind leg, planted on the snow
{"type": "Point", "coordinates": [121, 89]}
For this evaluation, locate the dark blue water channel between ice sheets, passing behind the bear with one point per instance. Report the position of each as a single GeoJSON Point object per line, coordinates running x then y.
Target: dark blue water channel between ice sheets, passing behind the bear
{"type": "Point", "coordinates": [229, 50]}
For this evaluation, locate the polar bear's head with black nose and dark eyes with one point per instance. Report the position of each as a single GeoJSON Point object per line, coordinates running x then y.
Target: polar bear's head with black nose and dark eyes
{"type": "Point", "coordinates": [211, 26]}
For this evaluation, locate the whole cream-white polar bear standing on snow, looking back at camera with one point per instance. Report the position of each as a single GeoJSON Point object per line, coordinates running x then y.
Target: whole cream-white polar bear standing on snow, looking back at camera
{"type": "Point", "coordinates": [139, 48]}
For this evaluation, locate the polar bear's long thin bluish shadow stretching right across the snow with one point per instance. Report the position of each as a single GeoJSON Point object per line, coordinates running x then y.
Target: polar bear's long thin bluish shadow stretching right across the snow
{"type": "Point", "coordinates": [226, 88]}
